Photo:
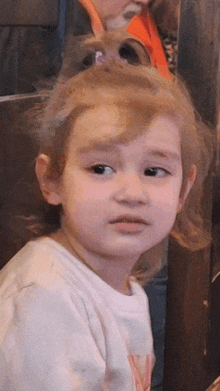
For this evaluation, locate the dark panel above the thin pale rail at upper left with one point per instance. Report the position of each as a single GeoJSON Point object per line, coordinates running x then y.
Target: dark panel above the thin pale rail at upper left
{"type": "Point", "coordinates": [27, 55]}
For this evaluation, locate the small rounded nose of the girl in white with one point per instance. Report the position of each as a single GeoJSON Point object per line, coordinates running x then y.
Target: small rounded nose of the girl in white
{"type": "Point", "coordinates": [131, 190]}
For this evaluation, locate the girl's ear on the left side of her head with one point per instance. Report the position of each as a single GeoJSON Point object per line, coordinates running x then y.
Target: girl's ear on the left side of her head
{"type": "Point", "coordinates": [50, 188]}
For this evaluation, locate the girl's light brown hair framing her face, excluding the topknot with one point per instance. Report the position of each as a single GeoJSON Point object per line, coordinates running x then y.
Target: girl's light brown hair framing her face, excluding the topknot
{"type": "Point", "coordinates": [139, 94]}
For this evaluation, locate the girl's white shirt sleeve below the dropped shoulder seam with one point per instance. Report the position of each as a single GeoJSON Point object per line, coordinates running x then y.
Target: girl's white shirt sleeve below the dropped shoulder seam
{"type": "Point", "coordinates": [48, 344]}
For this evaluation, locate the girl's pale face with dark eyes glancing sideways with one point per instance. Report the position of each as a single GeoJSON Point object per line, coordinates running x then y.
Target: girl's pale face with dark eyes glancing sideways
{"type": "Point", "coordinates": [118, 199]}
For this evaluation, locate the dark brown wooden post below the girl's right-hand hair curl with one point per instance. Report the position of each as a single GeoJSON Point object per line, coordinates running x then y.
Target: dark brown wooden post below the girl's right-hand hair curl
{"type": "Point", "coordinates": [186, 322]}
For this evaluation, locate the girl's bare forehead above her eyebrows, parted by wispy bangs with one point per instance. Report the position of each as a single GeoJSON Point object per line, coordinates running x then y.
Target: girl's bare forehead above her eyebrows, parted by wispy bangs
{"type": "Point", "coordinates": [106, 126]}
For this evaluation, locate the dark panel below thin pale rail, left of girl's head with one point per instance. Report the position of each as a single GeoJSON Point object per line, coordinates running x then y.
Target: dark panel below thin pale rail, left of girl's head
{"type": "Point", "coordinates": [18, 150]}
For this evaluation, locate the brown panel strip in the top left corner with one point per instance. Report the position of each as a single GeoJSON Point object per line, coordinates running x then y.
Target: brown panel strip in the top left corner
{"type": "Point", "coordinates": [28, 12]}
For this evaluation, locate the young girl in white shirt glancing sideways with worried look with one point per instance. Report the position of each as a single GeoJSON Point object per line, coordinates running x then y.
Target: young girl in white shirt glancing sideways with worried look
{"type": "Point", "coordinates": [120, 151]}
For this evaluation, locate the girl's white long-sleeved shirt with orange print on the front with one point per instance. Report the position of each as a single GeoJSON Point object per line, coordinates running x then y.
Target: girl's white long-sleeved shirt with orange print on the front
{"type": "Point", "coordinates": [62, 328]}
